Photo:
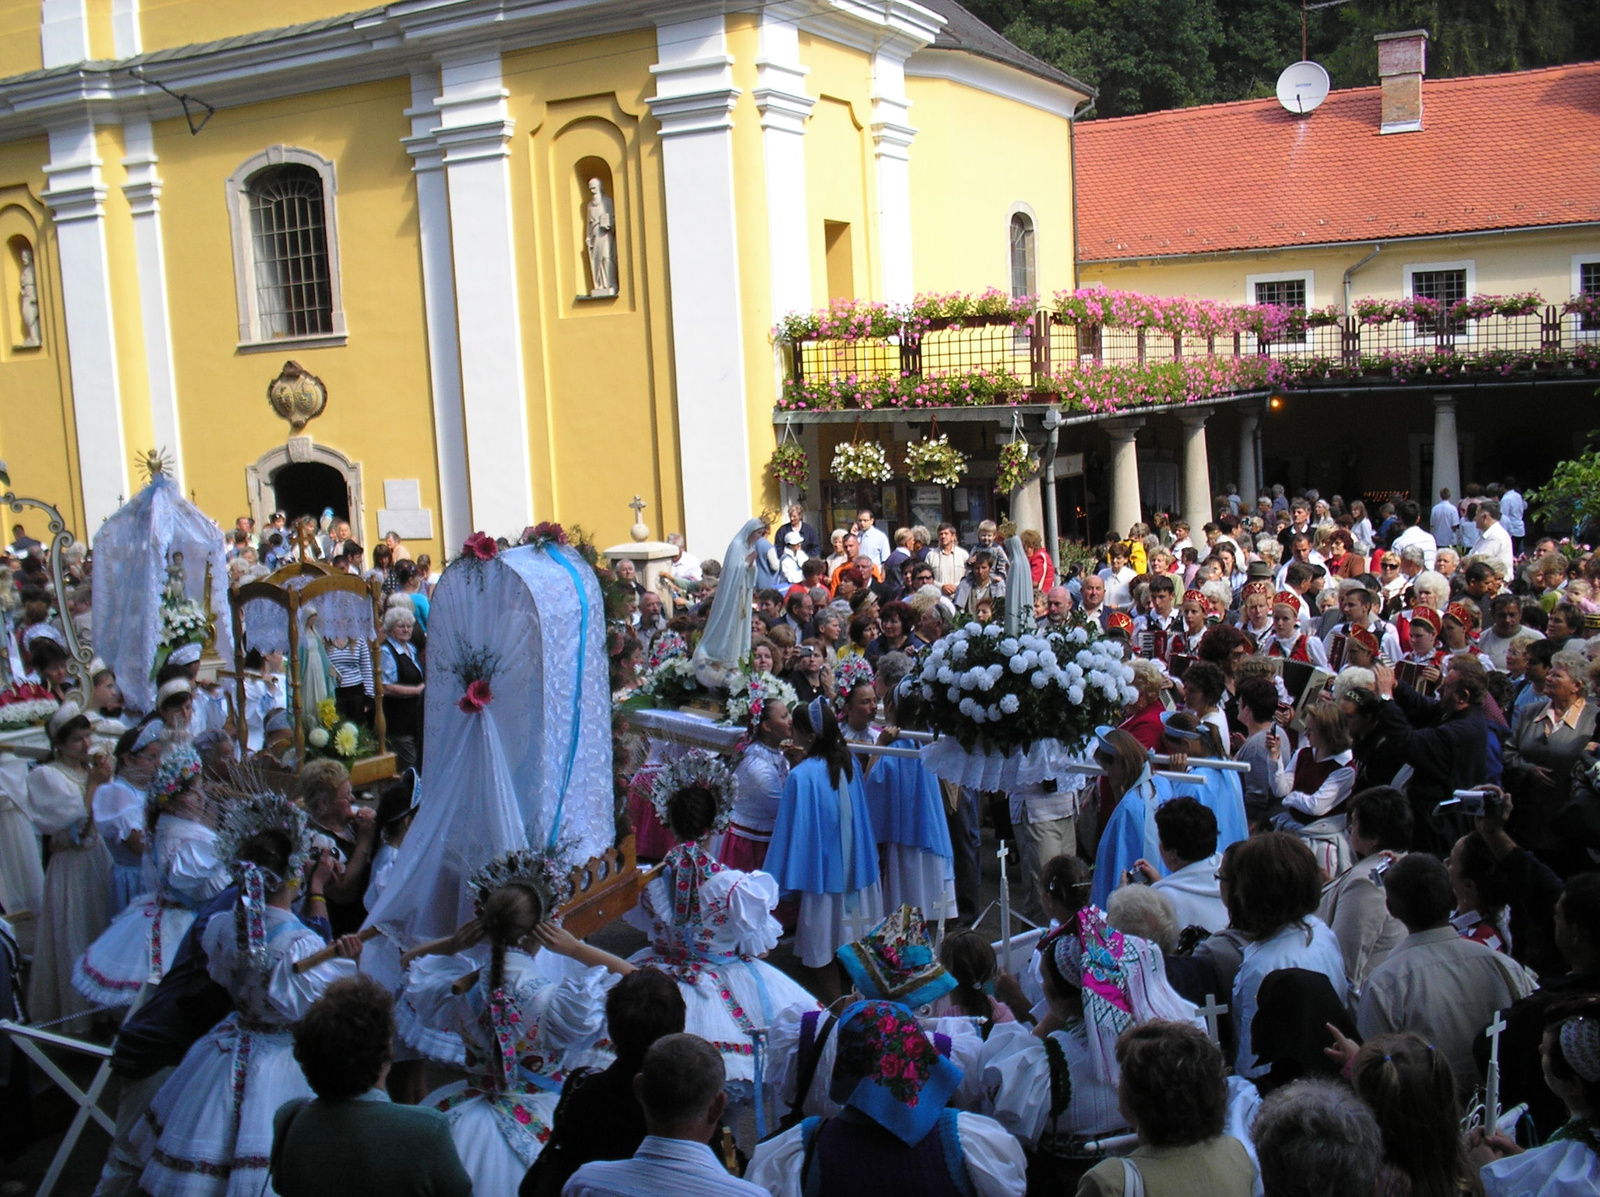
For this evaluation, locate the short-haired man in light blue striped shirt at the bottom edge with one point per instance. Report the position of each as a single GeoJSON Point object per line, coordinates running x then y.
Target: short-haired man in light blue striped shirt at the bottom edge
{"type": "Point", "coordinates": [681, 1087]}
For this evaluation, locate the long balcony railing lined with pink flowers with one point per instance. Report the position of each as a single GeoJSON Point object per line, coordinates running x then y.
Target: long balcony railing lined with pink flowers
{"type": "Point", "coordinates": [1092, 354]}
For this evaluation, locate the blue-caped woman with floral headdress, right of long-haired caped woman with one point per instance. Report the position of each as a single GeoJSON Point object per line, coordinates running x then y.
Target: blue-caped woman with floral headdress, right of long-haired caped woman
{"type": "Point", "coordinates": [908, 815]}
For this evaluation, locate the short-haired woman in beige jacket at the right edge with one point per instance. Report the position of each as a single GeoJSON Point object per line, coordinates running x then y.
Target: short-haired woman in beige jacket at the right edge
{"type": "Point", "coordinates": [1546, 742]}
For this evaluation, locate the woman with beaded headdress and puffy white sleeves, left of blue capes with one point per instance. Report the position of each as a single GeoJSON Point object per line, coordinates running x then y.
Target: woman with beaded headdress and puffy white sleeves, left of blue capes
{"type": "Point", "coordinates": [710, 924]}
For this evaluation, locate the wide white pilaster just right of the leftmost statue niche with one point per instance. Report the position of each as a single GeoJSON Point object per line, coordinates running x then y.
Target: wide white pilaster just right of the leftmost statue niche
{"type": "Point", "coordinates": [78, 204]}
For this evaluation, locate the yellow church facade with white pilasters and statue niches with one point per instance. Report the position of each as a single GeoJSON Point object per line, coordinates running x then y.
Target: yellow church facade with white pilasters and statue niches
{"type": "Point", "coordinates": [532, 252]}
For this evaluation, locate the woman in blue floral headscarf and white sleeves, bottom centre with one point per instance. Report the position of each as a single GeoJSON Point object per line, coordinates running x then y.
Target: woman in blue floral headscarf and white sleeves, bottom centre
{"type": "Point", "coordinates": [895, 1134]}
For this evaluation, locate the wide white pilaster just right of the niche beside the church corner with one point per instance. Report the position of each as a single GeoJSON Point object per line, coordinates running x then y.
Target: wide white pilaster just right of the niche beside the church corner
{"type": "Point", "coordinates": [694, 103]}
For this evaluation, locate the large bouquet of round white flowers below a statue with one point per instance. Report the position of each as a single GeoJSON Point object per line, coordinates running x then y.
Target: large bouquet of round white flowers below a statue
{"type": "Point", "coordinates": [1004, 694]}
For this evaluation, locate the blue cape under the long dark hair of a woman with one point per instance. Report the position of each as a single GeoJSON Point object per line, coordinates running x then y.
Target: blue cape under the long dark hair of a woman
{"type": "Point", "coordinates": [809, 849]}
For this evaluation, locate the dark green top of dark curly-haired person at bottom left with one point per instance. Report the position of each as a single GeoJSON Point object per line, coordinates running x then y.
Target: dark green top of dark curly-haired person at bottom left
{"type": "Point", "coordinates": [364, 1148]}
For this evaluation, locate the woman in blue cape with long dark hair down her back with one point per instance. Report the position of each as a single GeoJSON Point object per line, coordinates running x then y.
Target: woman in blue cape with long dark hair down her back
{"type": "Point", "coordinates": [825, 846]}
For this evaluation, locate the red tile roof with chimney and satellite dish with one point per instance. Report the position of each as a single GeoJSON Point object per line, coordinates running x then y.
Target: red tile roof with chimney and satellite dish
{"type": "Point", "coordinates": [1495, 153]}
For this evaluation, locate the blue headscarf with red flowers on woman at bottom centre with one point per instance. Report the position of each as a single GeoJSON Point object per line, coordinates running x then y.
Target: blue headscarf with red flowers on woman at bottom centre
{"type": "Point", "coordinates": [889, 1071]}
